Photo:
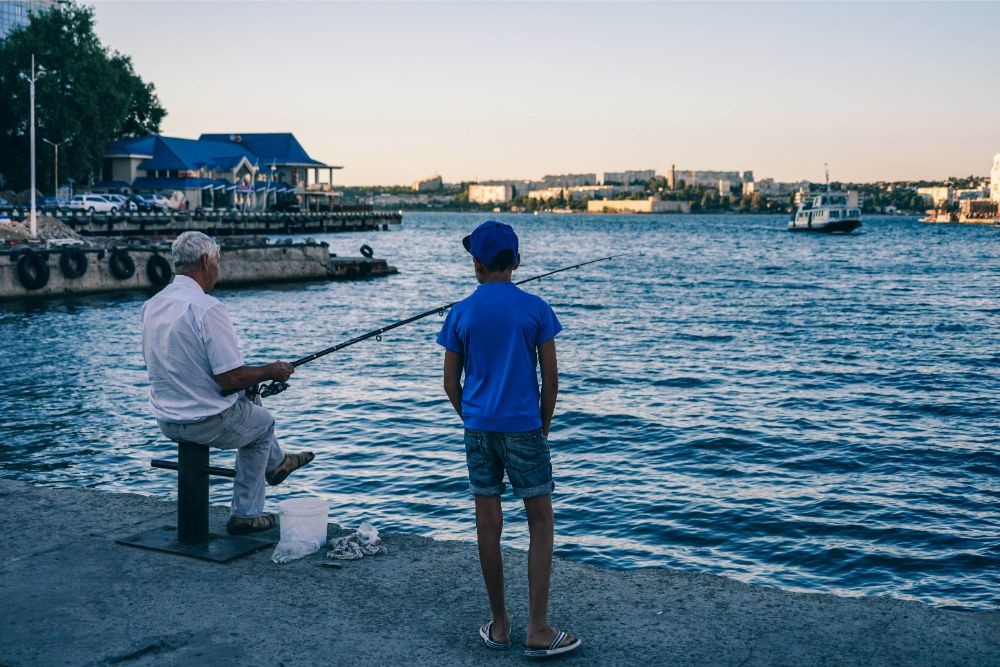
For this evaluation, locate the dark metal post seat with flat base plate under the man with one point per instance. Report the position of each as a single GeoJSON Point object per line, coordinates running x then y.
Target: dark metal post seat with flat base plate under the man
{"type": "Point", "coordinates": [191, 536]}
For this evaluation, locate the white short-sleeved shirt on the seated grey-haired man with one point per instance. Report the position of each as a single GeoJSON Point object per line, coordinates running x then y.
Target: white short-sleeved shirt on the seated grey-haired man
{"type": "Point", "coordinates": [187, 339]}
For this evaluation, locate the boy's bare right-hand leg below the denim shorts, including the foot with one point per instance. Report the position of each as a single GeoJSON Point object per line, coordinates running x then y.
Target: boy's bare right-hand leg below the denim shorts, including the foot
{"type": "Point", "coordinates": [540, 527]}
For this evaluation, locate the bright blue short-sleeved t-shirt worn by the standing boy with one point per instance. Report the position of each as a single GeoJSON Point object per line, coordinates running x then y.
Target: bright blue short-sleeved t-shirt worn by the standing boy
{"type": "Point", "coordinates": [497, 329]}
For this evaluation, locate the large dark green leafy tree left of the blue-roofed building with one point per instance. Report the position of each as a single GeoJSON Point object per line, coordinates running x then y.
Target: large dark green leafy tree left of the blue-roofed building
{"type": "Point", "coordinates": [88, 97]}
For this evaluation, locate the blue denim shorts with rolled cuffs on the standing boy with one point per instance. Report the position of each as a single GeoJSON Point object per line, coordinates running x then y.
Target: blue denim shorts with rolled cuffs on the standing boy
{"type": "Point", "coordinates": [524, 456]}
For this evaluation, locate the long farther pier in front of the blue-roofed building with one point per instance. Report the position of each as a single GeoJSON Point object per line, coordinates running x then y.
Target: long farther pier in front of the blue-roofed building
{"type": "Point", "coordinates": [221, 223]}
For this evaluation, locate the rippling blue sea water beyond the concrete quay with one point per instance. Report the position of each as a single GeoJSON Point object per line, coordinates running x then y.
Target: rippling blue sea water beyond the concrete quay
{"type": "Point", "coordinates": [818, 413]}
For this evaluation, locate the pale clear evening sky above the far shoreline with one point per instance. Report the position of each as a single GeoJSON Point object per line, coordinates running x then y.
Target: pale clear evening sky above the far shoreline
{"type": "Point", "coordinates": [396, 92]}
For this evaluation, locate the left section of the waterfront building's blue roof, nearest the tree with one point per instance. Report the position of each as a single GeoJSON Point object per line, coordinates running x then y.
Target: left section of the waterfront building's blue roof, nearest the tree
{"type": "Point", "coordinates": [183, 154]}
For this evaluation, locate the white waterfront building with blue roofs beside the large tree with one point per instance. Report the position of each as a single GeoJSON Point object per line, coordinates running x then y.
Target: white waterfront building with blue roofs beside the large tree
{"type": "Point", "coordinates": [219, 170]}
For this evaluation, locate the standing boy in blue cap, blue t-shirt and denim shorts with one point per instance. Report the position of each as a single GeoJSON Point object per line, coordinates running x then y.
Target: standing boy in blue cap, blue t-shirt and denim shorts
{"type": "Point", "coordinates": [498, 336]}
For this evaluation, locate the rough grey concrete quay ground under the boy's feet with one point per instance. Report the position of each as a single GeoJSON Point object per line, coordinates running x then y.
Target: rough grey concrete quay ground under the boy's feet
{"type": "Point", "coordinates": [72, 596]}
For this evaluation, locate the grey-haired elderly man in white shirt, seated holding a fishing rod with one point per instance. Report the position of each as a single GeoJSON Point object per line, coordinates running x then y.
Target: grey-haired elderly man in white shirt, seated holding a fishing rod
{"type": "Point", "coordinates": [191, 354]}
